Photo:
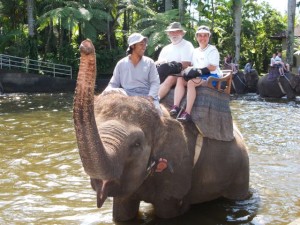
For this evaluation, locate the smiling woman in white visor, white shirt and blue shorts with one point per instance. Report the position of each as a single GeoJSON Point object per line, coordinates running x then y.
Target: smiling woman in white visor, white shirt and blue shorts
{"type": "Point", "coordinates": [205, 62]}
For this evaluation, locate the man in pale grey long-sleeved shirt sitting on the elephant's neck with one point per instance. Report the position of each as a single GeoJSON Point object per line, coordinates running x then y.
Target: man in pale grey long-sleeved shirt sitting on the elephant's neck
{"type": "Point", "coordinates": [136, 74]}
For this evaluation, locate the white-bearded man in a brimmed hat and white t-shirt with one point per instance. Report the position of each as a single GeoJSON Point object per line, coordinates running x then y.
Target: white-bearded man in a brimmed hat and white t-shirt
{"type": "Point", "coordinates": [179, 50]}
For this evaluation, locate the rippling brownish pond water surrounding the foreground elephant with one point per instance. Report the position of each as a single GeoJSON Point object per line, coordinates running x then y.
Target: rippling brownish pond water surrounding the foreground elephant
{"type": "Point", "coordinates": [42, 180]}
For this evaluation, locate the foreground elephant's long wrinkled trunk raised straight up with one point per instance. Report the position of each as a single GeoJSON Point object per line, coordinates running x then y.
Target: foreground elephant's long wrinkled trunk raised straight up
{"type": "Point", "coordinates": [94, 158]}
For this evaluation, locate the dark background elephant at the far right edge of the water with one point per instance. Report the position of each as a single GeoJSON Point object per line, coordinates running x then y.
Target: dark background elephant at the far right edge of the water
{"type": "Point", "coordinates": [276, 86]}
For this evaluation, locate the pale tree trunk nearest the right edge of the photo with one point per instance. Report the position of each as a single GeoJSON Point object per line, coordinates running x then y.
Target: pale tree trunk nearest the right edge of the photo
{"type": "Point", "coordinates": [290, 31]}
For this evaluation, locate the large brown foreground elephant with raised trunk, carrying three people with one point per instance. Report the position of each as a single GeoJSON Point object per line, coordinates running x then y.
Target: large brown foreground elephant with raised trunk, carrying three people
{"type": "Point", "coordinates": [132, 153]}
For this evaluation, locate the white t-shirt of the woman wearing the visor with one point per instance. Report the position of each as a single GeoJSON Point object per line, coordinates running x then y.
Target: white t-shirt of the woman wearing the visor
{"type": "Point", "coordinates": [208, 56]}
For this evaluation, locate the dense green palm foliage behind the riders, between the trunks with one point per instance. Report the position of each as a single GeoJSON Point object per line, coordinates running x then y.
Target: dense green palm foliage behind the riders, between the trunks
{"type": "Point", "coordinates": [62, 25]}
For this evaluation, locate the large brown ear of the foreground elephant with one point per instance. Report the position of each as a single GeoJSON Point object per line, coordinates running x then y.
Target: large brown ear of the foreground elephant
{"type": "Point", "coordinates": [171, 145]}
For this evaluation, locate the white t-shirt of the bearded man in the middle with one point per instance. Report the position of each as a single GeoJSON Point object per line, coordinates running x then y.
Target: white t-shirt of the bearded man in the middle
{"type": "Point", "coordinates": [180, 52]}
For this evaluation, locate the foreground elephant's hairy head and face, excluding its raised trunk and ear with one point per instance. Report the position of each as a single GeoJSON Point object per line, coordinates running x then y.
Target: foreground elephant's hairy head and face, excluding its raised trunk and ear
{"type": "Point", "coordinates": [127, 133]}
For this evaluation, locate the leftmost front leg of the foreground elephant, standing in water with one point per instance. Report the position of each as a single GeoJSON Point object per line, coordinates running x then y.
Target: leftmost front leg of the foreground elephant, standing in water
{"type": "Point", "coordinates": [125, 208]}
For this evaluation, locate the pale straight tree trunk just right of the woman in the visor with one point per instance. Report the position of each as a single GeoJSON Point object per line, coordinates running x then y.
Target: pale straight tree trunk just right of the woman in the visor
{"type": "Point", "coordinates": [237, 9]}
